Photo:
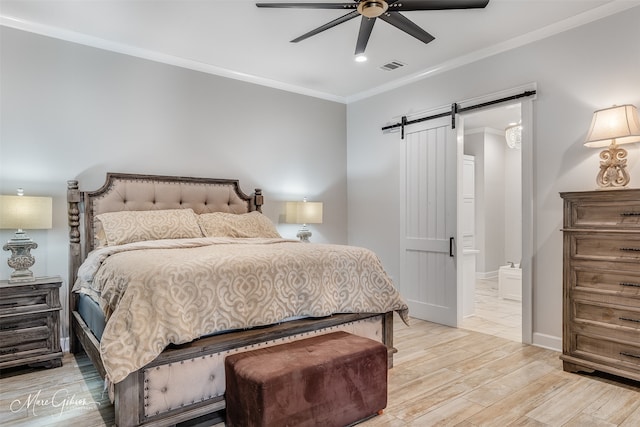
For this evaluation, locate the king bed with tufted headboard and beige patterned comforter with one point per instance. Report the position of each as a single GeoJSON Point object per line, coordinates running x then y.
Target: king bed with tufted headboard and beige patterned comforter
{"type": "Point", "coordinates": [157, 305]}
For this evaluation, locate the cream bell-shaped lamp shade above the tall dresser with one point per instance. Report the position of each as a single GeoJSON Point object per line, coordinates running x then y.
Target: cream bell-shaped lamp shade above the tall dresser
{"type": "Point", "coordinates": [619, 123]}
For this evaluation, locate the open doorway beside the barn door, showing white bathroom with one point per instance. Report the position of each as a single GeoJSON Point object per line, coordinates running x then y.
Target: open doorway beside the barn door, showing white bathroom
{"type": "Point", "coordinates": [494, 240]}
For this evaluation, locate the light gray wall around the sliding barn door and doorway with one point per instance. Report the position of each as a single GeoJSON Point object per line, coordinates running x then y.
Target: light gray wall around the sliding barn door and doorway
{"type": "Point", "coordinates": [576, 72]}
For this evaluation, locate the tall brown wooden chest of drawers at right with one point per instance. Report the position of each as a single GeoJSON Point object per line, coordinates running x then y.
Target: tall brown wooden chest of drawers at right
{"type": "Point", "coordinates": [601, 309]}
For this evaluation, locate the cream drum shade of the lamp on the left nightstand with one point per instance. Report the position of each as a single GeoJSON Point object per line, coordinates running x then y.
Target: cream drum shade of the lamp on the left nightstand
{"type": "Point", "coordinates": [22, 212]}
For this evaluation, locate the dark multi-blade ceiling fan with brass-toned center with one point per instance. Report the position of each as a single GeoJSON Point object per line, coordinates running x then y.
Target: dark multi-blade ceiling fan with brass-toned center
{"type": "Point", "coordinates": [387, 10]}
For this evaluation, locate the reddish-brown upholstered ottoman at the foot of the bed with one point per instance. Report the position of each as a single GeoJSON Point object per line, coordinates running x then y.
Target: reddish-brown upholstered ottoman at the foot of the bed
{"type": "Point", "coordinates": [327, 380]}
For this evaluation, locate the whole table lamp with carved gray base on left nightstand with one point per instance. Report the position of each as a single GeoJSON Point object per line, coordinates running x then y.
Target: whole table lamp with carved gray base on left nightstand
{"type": "Point", "coordinates": [19, 213]}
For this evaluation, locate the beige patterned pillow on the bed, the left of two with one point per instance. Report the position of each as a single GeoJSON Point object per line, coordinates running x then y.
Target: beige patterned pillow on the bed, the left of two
{"type": "Point", "coordinates": [136, 226]}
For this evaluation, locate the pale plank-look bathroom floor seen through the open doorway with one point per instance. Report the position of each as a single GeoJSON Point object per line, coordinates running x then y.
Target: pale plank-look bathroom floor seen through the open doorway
{"type": "Point", "coordinates": [494, 315]}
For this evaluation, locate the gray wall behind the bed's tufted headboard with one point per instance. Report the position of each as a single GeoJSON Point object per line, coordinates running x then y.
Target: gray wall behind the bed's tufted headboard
{"type": "Point", "coordinates": [75, 112]}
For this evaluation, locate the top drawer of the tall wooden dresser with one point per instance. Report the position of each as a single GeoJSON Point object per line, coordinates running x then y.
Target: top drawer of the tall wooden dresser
{"type": "Point", "coordinates": [604, 211]}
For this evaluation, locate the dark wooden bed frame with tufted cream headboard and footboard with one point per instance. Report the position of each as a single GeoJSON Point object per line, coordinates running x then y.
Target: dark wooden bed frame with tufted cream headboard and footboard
{"type": "Point", "coordinates": [133, 395]}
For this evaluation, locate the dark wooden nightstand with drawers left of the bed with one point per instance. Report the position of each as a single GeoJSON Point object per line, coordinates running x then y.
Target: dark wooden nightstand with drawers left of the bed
{"type": "Point", "coordinates": [30, 323]}
